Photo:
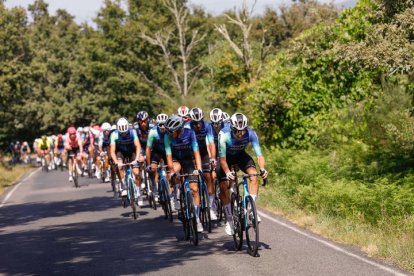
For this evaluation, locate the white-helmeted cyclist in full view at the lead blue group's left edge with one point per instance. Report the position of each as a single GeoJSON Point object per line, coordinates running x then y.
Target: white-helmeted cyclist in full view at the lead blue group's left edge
{"type": "Point", "coordinates": [124, 143]}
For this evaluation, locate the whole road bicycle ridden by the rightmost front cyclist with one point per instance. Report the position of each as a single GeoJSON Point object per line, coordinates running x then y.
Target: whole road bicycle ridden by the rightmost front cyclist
{"type": "Point", "coordinates": [244, 214]}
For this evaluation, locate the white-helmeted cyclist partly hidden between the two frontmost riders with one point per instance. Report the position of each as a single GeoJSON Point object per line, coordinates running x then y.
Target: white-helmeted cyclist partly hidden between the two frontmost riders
{"type": "Point", "coordinates": [207, 148]}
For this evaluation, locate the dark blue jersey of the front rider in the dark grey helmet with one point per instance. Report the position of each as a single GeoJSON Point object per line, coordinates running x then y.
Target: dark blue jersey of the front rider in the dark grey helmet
{"type": "Point", "coordinates": [182, 147]}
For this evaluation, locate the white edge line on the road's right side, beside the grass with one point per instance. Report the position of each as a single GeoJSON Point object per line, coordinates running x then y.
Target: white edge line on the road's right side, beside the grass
{"type": "Point", "coordinates": [328, 244]}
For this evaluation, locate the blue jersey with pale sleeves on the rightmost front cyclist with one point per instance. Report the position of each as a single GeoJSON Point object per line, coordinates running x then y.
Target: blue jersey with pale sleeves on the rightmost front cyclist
{"type": "Point", "coordinates": [229, 145]}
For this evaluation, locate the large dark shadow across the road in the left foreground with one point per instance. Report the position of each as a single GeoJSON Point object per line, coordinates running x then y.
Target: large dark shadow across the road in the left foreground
{"type": "Point", "coordinates": [111, 246]}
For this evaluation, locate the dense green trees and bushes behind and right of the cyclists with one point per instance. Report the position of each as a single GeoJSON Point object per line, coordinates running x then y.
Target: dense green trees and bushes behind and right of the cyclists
{"type": "Point", "coordinates": [329, 91]}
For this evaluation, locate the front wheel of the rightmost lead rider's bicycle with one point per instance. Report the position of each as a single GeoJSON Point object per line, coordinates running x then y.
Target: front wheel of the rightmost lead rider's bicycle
{"type": "Point", "coordinates": [252, 227]}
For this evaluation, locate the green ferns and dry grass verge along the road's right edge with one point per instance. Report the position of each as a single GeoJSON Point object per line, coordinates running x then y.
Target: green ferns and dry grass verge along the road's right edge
{"type": "Point", "coordinates": [305, 189]}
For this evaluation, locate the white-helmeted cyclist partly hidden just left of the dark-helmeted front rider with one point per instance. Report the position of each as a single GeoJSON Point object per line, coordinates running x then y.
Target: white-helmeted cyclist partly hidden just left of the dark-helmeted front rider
{"type": "Point", "coordinates": [155, 150]}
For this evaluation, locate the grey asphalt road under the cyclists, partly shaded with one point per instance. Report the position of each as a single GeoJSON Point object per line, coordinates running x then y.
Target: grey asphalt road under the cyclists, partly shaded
{"type": "Point", "coordinates": [49, 227]}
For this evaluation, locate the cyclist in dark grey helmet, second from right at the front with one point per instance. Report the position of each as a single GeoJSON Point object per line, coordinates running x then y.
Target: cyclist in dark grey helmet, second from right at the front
{"type": "Point", "coordinates": [181, 150]}
